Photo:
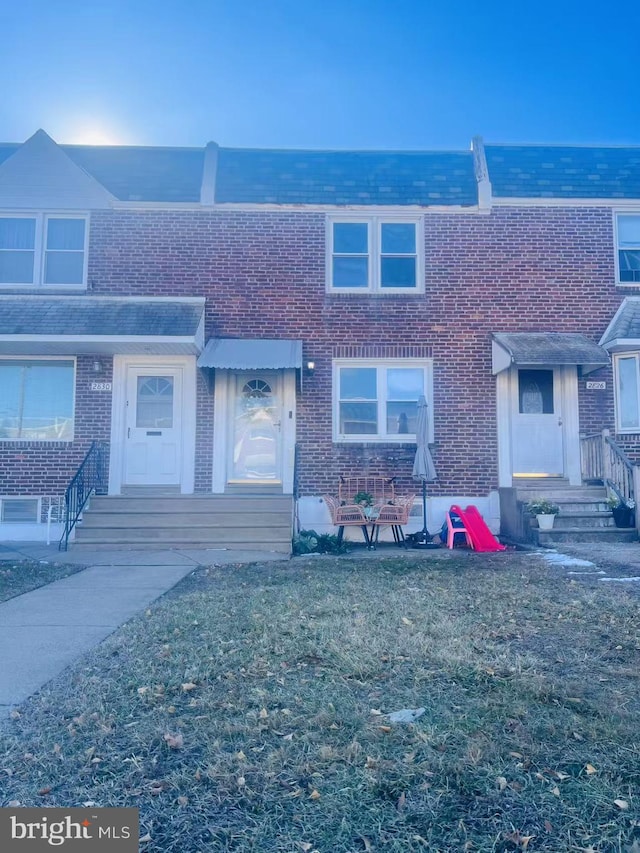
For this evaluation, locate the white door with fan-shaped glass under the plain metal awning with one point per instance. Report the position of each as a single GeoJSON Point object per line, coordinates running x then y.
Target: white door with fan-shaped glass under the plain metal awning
{"type": "Point", "coordinates": [256, 429]}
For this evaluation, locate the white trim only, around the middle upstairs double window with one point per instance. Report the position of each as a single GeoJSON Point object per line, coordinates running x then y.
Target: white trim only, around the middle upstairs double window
{"type": "Point", "coordinates": [374, 231]}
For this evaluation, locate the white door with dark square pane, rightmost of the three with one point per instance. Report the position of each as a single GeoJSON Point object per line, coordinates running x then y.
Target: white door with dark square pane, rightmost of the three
{"type": "Point", "coordinates": [537, 423]}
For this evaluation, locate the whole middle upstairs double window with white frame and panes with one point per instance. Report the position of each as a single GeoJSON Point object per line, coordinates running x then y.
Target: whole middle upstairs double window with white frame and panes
{"type": "Point", "coordinates": [377, 254]}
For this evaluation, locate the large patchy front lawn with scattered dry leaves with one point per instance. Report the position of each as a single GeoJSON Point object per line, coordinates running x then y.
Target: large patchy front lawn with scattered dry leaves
{"type": "Point", "coordinates": [247, 711]}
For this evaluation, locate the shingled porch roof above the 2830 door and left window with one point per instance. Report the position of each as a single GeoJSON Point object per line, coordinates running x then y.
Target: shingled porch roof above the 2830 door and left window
{"type": "Point", "coordinates": [98, 317]}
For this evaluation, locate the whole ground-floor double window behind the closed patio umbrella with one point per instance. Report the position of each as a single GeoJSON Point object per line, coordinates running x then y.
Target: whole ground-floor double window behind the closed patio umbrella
{"type": "Point", "coordinates": [377, 399]}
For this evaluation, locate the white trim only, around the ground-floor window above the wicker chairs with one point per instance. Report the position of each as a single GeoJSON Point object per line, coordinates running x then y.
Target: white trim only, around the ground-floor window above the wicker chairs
{"type": "Point", "coordinates": [407, 438]}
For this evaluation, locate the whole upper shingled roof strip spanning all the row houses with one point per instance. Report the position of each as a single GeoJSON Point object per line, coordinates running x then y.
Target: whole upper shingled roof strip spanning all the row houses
{"type": "Point", "coordinates": [359, 177]}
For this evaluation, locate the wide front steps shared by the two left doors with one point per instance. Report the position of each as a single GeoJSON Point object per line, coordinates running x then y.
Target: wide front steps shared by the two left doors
{"type": "Point", "coordinates": [253, 522]}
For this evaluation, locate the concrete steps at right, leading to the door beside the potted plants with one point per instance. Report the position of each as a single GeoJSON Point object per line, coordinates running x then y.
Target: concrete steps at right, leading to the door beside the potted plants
{"type": "Point", "coordinates": [584, 515]}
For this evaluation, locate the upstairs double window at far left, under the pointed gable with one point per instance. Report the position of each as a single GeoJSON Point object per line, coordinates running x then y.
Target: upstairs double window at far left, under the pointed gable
{"type": "Point", "coordinates": [43, 249]}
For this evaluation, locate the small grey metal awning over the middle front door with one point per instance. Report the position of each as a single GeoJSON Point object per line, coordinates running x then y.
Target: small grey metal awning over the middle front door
{"type": "Point", "coordinates": [251, 354]}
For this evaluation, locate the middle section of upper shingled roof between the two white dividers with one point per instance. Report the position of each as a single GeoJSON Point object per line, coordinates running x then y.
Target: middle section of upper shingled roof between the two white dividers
{"type": "Point", "coordinates": [346, 177]}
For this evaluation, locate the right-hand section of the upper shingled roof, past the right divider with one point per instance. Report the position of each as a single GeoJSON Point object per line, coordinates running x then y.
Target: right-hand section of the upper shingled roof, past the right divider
{"type": "Point", "coordinates": [556, 171]}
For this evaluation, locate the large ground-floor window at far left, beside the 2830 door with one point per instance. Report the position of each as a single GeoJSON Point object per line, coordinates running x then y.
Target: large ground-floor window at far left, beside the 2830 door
{"type": "Point", "coordinates": [37, 399]}
